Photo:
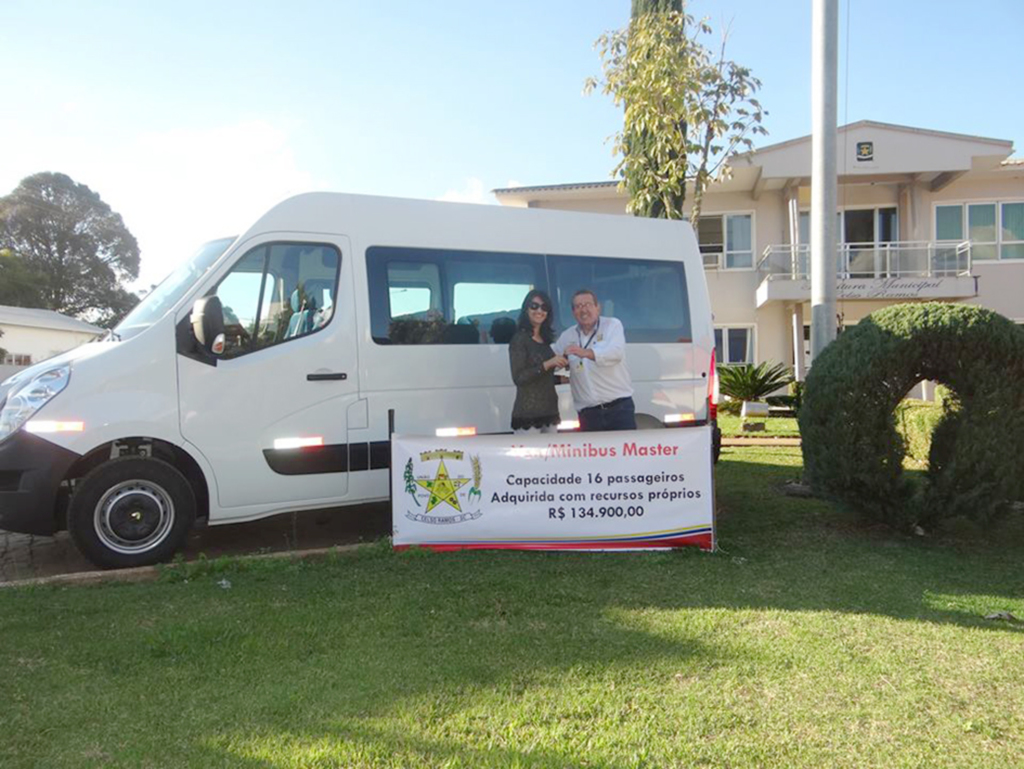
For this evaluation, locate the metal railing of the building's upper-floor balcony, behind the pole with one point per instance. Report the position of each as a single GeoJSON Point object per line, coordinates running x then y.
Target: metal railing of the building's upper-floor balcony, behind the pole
{"type": "Point", "coordinates": [864, 261]}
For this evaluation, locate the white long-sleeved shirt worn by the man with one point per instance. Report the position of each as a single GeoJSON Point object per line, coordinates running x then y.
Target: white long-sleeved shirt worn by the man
{"type": "Point", "coordinates": [605, 379]}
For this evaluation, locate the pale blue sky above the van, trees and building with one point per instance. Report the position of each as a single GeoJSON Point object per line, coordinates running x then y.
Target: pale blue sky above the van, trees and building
{"type": "Point", "coordinates": [193, 118]}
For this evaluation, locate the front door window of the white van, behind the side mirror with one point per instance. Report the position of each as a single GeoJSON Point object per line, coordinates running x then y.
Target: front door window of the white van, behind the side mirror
{"type": "Point", "coordinates": [278, 292]}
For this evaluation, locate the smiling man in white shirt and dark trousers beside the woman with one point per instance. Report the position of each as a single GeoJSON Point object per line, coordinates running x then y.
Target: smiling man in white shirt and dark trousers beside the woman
{"type": "Point", "coordinates": [602, 388]}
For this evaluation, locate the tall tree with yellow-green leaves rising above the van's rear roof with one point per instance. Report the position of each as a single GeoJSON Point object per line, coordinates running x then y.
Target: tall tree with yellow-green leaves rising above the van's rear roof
{"type": "Point", "coordinates": [688, 108]}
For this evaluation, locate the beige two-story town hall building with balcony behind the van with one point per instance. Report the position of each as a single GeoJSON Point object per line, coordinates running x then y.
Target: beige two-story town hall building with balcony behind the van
{"type": "Point", "coordinates": [923, 216]}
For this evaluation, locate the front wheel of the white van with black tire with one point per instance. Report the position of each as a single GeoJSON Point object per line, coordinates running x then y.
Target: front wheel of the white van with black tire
{"type": "Point", "coordinates": [132, 512]}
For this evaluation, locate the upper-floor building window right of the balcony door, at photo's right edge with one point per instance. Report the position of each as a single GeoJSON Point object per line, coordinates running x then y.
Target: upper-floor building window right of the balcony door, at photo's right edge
{"type": "Point", "coordinates": [996, 230]}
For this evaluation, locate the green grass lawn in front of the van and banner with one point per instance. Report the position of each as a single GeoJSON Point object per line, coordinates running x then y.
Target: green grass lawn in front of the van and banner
{"type": "Point", "coordinates": [809, 642]}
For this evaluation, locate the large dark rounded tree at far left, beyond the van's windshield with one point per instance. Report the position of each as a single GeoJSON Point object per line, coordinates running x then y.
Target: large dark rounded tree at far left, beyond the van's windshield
{"type": "Point", "coordinates": [78, 249]}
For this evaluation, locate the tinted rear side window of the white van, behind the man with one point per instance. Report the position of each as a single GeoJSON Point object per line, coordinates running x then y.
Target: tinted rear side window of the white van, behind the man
{"type": "Point", "coordinates": [649, 296]}
